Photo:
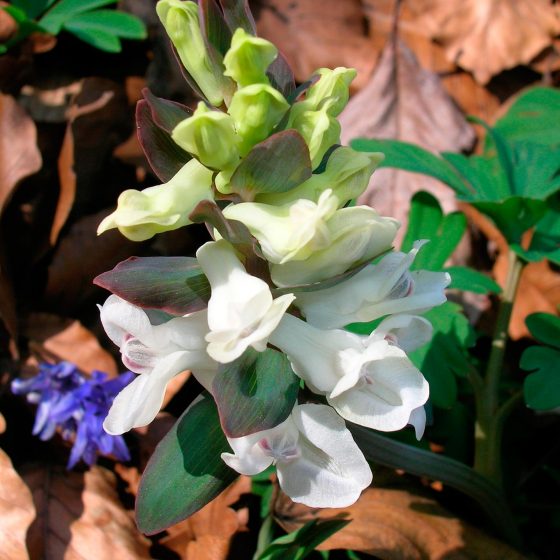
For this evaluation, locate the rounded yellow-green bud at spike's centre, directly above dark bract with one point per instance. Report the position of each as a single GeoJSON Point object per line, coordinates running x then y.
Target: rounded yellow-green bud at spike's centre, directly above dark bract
{"type": "Point", "coordinates": [256, 110]}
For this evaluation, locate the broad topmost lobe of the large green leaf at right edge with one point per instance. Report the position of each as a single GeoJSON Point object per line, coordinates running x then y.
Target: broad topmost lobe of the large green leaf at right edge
{"type": "Point", "coordinates": [533, 117]}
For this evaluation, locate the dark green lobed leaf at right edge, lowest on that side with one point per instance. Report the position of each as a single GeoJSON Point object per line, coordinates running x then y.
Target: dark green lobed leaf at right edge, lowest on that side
{"type": "Point", "coordinates": [542, 388]}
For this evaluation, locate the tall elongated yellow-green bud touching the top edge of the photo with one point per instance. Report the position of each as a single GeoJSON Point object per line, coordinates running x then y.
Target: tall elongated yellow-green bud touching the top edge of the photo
{"type": "Point", "coordinates": [181, 22]}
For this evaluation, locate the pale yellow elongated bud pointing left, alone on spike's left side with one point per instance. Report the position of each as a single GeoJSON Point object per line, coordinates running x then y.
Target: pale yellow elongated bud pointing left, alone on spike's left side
{"type": "Point", "coordinates": [142, 214]}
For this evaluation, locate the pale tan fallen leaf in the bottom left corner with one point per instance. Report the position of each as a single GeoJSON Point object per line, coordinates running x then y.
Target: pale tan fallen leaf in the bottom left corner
{"type": "Point", "coordinates": [16, 511]}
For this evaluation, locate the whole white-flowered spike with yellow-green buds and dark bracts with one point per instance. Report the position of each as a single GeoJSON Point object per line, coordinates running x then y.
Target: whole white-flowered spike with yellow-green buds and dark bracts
{"type": "Point", "coordinates": [258, 315]}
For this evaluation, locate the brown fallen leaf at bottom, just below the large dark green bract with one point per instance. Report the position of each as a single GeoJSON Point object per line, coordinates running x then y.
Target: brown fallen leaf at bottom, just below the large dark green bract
{"type": "Point", "coordinates": [207, 534]}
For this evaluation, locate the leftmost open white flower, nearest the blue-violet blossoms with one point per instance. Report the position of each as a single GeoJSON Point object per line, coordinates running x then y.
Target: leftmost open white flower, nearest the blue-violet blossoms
{"type": "Point", "coordinates": [157, 353]}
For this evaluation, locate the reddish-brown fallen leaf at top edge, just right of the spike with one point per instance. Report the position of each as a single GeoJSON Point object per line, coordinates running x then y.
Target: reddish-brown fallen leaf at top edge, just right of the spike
{"type": "Point", "coordinates": [314, 35]}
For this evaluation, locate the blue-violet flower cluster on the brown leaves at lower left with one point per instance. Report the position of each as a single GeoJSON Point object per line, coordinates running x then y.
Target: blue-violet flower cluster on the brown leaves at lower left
{"type": "Point", "coordinates": [77, 407]}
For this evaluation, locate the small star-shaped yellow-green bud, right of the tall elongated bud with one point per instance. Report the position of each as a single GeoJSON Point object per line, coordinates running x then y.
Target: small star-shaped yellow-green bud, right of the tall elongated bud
{"type": "Point", "coordinates": [248, 58]}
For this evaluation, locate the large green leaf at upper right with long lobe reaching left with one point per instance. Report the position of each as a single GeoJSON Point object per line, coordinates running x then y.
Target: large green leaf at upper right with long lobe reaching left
{"type": "Point", "coordinates": [512, 181]}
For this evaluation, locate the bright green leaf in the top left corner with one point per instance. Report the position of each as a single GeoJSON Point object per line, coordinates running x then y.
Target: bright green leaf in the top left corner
{"type": "Point", "coordinates": [101, 28]}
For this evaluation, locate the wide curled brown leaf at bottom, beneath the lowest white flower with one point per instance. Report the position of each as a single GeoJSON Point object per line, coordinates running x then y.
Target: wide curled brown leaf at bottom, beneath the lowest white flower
{"type": "Point", "coordinates": [398, 525]}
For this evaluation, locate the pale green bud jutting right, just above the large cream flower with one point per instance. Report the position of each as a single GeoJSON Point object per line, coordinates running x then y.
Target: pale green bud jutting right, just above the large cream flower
{"type": "Point", "coordinates": [347, 174]}
